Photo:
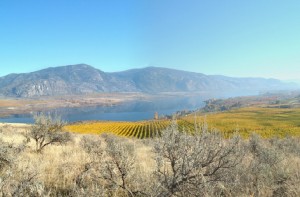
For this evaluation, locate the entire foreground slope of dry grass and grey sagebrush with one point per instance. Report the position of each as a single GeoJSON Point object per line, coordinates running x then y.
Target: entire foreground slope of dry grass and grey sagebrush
{"type": "Point", "coordinates": [174, 164]}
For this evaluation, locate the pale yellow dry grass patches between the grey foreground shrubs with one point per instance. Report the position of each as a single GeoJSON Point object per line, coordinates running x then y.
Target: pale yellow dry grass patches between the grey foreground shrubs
{"type": "Point", "coordinates": [58, 166]}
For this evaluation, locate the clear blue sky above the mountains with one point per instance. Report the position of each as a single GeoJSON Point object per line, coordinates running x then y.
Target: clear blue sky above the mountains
{"type": "Point", "coordinates": [234, 38]}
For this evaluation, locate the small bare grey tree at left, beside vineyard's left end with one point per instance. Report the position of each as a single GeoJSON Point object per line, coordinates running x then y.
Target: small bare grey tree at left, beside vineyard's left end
{"type": "Point", "coordinates": [47, 130]}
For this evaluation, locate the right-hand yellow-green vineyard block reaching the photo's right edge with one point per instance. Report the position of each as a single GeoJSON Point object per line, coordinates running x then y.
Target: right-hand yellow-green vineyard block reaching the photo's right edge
{"type": "Point", "coordinates": [267, 122]}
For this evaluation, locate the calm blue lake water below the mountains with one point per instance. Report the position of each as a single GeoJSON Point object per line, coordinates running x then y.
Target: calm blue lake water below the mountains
{"type": "Point", "coordinates": [130, 111]}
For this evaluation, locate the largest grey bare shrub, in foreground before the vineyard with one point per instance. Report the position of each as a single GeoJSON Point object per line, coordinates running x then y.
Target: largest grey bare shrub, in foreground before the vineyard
{"type": "Point", "coordinates": [194, 165]}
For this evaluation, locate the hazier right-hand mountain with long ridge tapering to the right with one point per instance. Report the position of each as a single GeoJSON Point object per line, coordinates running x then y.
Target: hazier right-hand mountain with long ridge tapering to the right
{"type": "Point", "coordinates": [154, 79]}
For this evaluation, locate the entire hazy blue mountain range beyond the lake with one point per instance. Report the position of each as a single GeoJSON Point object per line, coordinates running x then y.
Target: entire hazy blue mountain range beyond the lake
{"type": "Point", "coordinates": [84, 79]}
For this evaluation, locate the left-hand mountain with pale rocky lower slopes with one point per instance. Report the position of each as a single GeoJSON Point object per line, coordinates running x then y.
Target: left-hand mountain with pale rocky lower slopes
{"type": "Point", "coordinates": [73, 79]}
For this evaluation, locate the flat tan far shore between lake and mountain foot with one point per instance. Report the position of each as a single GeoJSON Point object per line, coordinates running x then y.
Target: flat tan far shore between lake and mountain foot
{"type": "Point", "coordinates": [12, 106]}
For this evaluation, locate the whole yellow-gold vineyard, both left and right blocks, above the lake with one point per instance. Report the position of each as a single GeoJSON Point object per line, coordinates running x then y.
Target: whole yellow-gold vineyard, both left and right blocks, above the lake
{"type": "Point", "coordinates": [267, 122]}
